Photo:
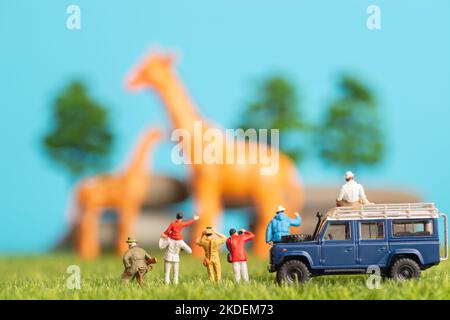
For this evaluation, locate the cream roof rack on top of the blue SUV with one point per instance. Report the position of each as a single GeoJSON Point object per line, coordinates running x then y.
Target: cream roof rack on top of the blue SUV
{"type": "Point", "coordinates": [385, 211]}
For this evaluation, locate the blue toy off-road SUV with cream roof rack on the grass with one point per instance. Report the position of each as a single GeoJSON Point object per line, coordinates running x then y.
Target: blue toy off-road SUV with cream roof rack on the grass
{"type": "Point", "coordinates": [399, 240]}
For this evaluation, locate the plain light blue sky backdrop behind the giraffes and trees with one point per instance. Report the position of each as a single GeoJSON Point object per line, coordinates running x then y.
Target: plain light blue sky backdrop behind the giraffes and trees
{"type": "Point", "coordinates": [224, 46]}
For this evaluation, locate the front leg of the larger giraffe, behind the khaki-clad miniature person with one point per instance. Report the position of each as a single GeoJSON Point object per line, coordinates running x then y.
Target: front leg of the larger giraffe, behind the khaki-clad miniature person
{"type": "Point", "coordinates": [208, 205]}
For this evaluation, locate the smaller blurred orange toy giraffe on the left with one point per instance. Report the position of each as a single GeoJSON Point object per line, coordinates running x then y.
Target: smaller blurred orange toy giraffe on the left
{"type": "Point", "coordinates": [124, 191]}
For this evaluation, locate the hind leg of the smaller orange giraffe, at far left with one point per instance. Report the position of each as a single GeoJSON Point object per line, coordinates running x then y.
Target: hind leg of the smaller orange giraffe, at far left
{"type": "Point", "coordinates": [88, 242]}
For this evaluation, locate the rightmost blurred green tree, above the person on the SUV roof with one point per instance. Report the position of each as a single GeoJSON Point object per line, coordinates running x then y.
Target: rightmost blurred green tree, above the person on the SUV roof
{"type": "Point", "coordinates": [350, 134]}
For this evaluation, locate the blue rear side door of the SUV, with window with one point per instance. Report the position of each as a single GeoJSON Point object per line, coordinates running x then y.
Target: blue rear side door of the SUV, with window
{"type": "Point", "coordinates": [372, 243]}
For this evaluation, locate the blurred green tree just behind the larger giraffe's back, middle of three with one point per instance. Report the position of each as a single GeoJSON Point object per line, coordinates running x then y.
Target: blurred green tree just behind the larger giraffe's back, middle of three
{"type": "Point", "coordinates": [276, 106]}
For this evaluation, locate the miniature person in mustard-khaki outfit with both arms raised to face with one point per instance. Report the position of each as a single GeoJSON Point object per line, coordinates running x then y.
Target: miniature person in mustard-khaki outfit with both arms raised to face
{"type": "Point", "coordinates": [211, 241]}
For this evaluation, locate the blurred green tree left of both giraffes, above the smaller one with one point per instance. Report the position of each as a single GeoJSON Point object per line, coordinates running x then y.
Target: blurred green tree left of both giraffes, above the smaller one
{"type": "Point", "coordinates": [80, 138]}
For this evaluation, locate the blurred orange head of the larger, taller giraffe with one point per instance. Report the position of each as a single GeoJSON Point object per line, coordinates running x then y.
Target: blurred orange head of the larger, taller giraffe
{"type": "Point", "coordinates": [153, 71]}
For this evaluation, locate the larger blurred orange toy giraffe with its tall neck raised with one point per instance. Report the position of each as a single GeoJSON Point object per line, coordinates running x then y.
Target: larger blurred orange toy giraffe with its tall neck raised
{"type": "Point", "coordinates": [215, 183]}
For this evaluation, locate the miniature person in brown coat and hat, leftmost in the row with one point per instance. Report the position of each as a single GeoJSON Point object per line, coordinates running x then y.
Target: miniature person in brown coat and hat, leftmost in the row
{"type": "Point", "coordinates": [136, 262]}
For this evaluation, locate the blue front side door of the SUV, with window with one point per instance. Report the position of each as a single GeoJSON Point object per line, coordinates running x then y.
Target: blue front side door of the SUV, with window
{"type": "Point", "coordinates": [338, 245]}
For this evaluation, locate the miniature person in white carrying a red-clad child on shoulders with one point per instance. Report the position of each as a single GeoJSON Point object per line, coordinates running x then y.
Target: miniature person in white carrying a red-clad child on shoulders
{"type": "Point", "coordinates": [172, 256]}
